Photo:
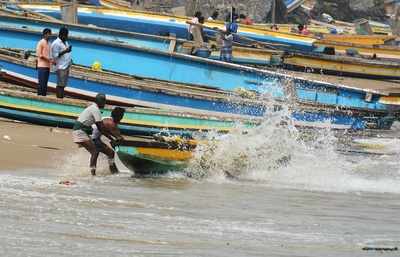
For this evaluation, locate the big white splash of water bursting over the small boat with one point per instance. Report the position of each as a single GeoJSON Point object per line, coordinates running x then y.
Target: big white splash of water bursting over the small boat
{"type": "Point", "coordinates": [277, 154]}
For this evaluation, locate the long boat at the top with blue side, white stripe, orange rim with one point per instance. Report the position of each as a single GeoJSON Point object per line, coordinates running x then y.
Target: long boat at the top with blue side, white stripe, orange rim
{"type": "Point", "coordinates": [163, 24]}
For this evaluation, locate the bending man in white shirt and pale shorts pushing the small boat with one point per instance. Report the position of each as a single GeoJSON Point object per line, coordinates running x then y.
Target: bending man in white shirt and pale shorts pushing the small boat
{"type": "Point", "coordinates": [83, 129]}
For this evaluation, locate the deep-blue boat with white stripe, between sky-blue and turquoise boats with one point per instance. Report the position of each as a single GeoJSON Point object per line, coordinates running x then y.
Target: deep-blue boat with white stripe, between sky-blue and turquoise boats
{"type": "Point", "coordinates": [128, 90]}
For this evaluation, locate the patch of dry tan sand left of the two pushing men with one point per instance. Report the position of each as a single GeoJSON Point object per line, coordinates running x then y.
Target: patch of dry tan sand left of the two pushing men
{"type": "Point", "coordinates": [24, 145]}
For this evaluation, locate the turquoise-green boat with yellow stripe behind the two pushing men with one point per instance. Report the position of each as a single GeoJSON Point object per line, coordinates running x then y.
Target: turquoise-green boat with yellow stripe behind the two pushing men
{"type": "Point", "coordinates": [50, 111]}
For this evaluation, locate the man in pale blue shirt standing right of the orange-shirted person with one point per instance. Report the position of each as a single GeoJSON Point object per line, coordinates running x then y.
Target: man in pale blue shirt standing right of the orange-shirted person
{"type": "Point", "coordinates": [61, 53]}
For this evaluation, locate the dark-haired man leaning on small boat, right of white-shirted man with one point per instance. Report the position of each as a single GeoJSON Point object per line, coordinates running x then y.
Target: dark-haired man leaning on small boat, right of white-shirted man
{"type": "Point", "coordinates": [110, 125]}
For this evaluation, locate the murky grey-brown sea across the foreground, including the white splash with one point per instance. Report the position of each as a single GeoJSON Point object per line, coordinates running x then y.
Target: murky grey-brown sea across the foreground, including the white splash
{"type": "Point", "coordinates": [291, 195]}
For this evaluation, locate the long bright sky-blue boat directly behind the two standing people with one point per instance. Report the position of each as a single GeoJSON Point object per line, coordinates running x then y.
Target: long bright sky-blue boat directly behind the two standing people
{"type": "Point", "coordinates": [154, 64]}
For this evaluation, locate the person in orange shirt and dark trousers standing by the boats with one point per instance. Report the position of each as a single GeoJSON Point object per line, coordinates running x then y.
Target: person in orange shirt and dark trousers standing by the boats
{"type": "Point", "coordinates": [43, 62]}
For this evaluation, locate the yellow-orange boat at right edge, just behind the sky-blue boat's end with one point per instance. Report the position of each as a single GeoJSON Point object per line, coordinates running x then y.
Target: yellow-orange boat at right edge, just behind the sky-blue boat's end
{"type": "Point", "coordinates": [343, 65]}
